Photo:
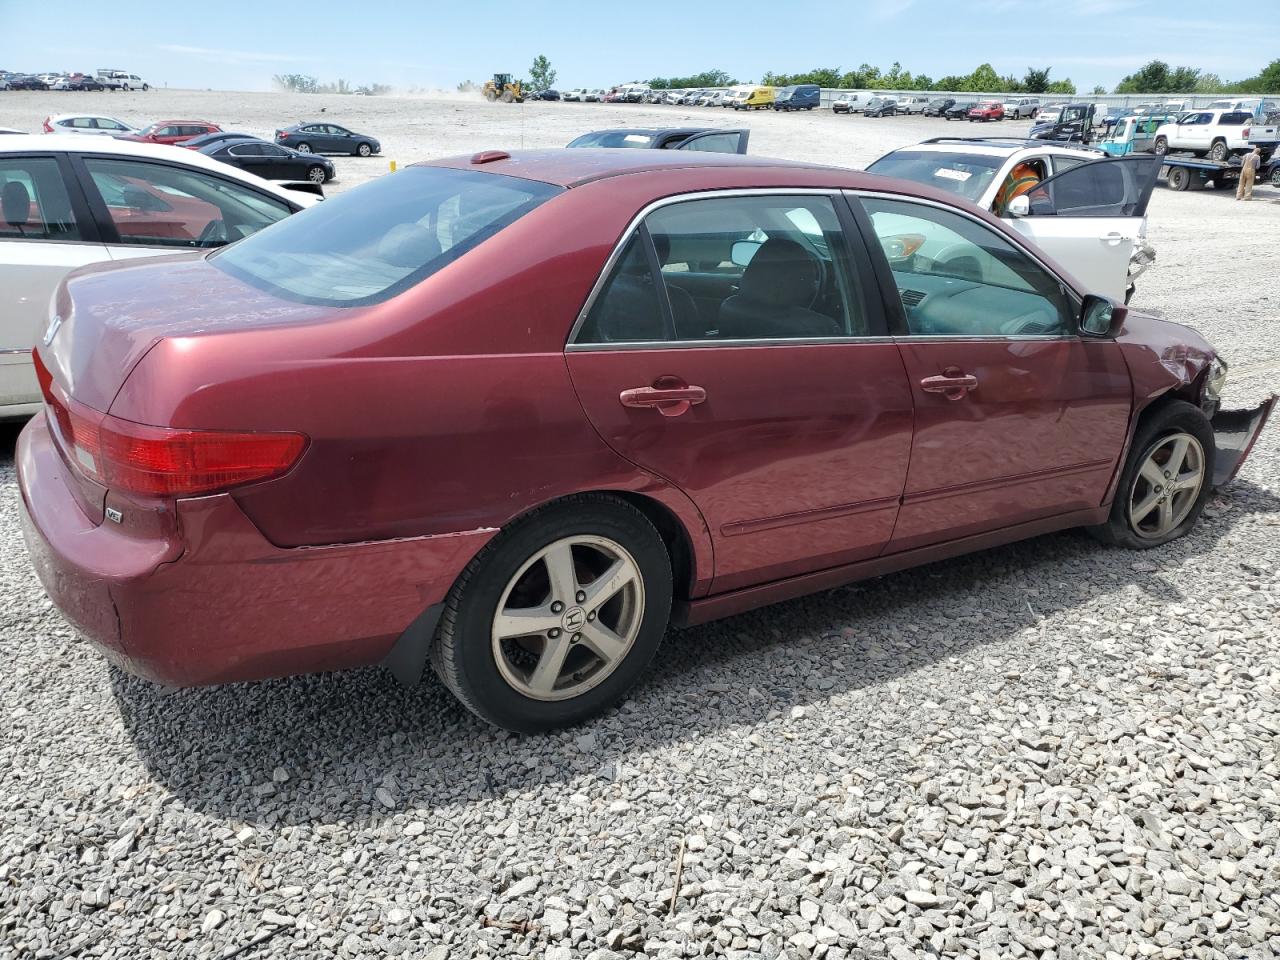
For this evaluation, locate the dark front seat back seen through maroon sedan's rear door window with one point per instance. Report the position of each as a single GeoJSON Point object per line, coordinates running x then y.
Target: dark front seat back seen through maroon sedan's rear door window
{"type": "Point", "coordinates": [776, 296]}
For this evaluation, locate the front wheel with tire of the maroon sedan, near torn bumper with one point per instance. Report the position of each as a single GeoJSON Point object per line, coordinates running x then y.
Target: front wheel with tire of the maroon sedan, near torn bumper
{"type": "Point", "coordinates": [1167, 481]}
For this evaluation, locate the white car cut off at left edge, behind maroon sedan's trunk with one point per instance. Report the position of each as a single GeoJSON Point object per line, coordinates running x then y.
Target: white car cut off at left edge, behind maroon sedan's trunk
{"type": "Point", "coordinates": [72, 202]}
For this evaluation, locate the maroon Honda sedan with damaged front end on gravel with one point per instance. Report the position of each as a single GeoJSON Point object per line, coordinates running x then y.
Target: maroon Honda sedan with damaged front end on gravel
{"type": "Point", "coordinates": [513, 415]}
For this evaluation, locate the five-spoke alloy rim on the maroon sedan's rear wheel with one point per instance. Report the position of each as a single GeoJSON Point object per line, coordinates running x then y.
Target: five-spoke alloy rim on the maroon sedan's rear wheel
{"type": "Point", "coordinates": [569, 618]}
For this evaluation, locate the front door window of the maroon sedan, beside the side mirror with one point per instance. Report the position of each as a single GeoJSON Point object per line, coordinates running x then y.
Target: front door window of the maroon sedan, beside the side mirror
{"type": "Point", "coordinates": [959, 278]}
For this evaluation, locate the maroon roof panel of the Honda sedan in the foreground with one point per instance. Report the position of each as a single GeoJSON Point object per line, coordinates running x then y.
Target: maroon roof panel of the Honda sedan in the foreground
{"type": "Point", "coordinates": [570, 168]}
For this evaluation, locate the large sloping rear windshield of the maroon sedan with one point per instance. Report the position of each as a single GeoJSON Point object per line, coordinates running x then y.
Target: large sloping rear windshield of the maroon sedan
{"type": "Point", "coordinates": [380, 240]}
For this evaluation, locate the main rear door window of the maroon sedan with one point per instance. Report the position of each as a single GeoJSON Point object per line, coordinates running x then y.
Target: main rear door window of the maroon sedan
{"type": "Point", "coordinates": [757, 268]}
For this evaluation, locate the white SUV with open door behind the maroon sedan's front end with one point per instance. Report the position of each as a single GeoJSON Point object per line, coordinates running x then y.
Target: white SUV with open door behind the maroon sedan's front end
{"type": "Point", "coordinates": [1096, 227]}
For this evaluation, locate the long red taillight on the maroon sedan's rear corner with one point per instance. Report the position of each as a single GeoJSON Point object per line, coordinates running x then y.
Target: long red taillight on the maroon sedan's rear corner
{"type": "Point", "coordinates": [161, 461]}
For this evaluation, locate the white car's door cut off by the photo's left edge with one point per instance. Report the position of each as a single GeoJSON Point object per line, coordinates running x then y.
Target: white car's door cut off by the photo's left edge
{"type": "Point", "coordinates": [44, 236]}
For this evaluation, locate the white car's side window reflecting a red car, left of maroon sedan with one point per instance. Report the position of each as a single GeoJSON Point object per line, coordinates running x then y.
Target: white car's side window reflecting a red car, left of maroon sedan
{"type": "Point", "coordinates": [176, 207]}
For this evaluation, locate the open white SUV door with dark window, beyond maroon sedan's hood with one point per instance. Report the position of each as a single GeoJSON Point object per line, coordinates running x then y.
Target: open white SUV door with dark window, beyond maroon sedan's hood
{"type": "Point", "coordinates": [1090, 220]}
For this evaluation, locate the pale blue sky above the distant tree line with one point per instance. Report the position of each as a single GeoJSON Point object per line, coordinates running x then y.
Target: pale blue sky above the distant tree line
{"type": "Point", "coordinates": [237, 45]}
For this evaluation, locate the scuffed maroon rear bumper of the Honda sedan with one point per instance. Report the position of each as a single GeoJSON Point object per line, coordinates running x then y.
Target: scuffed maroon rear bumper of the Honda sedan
{"type": "Point", "coordinates": [220, 604]}
